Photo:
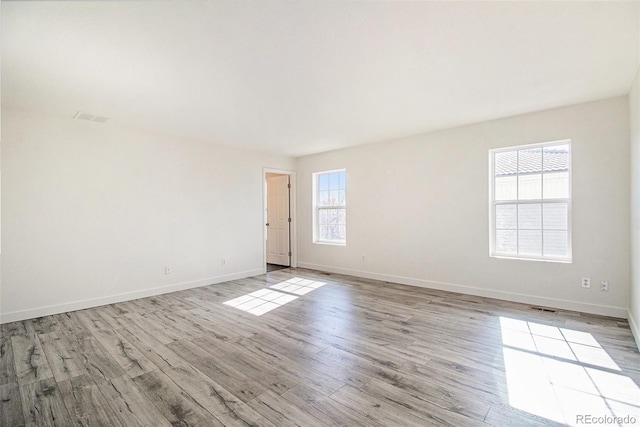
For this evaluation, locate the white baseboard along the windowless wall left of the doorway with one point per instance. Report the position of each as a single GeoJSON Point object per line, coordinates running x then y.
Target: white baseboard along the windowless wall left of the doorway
{"type": "Point", "coordinates": [127, 296]}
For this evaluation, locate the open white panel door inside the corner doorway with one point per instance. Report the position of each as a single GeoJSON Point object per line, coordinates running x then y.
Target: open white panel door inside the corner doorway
{"type": "Point", "coordinates": [278, 220]}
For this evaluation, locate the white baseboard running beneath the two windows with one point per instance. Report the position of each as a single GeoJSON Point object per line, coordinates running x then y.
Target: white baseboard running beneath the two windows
{"type": "Point", "coordinates": [603, 310]}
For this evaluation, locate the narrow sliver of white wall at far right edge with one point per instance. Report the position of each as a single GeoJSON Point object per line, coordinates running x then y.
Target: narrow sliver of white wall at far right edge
{"type": "Point", "coordinates": [634, 297]}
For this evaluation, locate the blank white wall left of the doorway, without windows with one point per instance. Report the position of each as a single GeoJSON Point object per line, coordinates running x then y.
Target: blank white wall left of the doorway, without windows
{"type": "Point", "coordinates": [92, 213]}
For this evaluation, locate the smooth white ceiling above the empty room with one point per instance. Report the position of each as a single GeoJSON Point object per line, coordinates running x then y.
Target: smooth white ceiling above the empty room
{"type": "Point", "coordinates": [303, 77]}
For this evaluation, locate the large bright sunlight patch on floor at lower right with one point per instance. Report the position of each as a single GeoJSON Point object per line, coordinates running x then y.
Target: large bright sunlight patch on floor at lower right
{"type": "Point", "coordinates": [562, 375]}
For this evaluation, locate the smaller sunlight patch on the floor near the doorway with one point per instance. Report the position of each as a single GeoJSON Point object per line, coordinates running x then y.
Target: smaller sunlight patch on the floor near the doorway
{"type": "Point", "coordinates": [264, 300]}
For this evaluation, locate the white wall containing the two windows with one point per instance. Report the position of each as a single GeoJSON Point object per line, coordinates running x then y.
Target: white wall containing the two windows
{"type": "Point", "coordinates": [418, 210]}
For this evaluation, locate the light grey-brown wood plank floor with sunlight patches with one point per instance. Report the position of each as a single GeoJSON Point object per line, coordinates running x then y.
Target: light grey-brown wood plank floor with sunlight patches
{"type": "Point", "coordinates": [344, 352]}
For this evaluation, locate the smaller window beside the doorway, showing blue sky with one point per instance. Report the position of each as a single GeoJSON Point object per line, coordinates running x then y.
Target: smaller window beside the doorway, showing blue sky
{"type": "Point", "coordinates": [330, 207]}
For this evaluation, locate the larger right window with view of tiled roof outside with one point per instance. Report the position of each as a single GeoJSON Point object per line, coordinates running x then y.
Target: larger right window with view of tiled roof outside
{"type": "Point", "coordinates": [530, 209]}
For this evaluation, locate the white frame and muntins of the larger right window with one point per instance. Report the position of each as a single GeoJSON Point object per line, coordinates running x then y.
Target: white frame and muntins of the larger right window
{"type": "Point", "coordinates": [492, 205]}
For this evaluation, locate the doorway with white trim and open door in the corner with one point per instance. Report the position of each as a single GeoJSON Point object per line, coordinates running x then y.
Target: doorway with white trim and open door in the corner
{"type": "Point", "coordinates": [279, 219]}
